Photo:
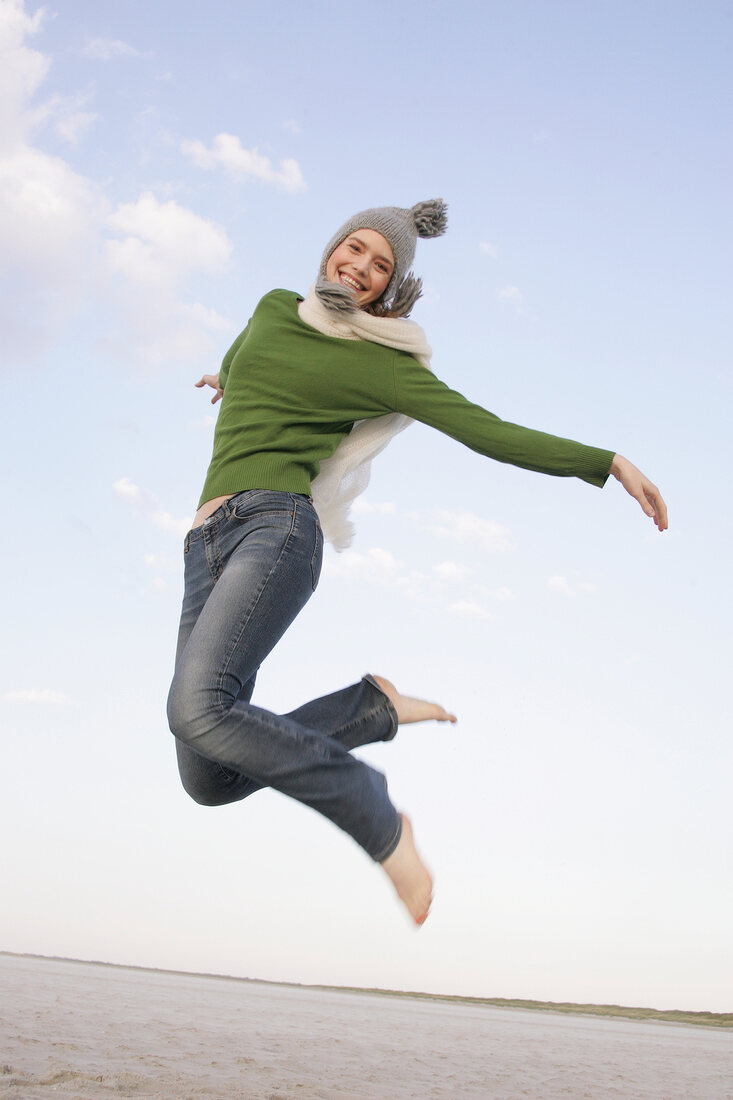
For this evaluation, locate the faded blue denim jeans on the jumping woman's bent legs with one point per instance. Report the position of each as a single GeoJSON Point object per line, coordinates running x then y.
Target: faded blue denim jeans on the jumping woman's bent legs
{"type": "Point", "coordinates": [249, 570]}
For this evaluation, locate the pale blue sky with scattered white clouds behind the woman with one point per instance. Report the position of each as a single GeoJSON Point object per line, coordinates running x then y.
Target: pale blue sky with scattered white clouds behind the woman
{"type": "Point", "coordinates": [161, 169]}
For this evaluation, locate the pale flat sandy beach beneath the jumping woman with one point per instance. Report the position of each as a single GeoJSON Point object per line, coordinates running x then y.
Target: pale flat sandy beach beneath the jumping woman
{"type": "Point", "coordinates": [78, 1030]}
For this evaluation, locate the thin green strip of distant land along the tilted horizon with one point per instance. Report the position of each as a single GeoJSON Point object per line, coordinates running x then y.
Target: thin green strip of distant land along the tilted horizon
{"type": "Point", "coordinates": [563, 1008]}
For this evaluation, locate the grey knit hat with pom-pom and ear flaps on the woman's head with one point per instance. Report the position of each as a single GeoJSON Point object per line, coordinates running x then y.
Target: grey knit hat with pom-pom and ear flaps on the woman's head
{"type": "Point", "coordinates": [401, 227]}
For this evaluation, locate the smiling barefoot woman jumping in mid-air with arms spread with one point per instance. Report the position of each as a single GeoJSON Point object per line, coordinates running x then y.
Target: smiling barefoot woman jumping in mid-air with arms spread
{"type": "Point", "coordinates": [313, 390]}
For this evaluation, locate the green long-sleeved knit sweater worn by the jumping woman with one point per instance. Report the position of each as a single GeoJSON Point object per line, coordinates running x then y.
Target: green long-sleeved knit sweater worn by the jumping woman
{"type": "Point", "coordinates": [291, 394]}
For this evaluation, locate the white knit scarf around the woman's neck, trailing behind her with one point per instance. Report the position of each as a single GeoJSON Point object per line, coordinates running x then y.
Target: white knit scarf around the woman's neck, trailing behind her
{"type": "Point", "coordinates": [346, 475]}
